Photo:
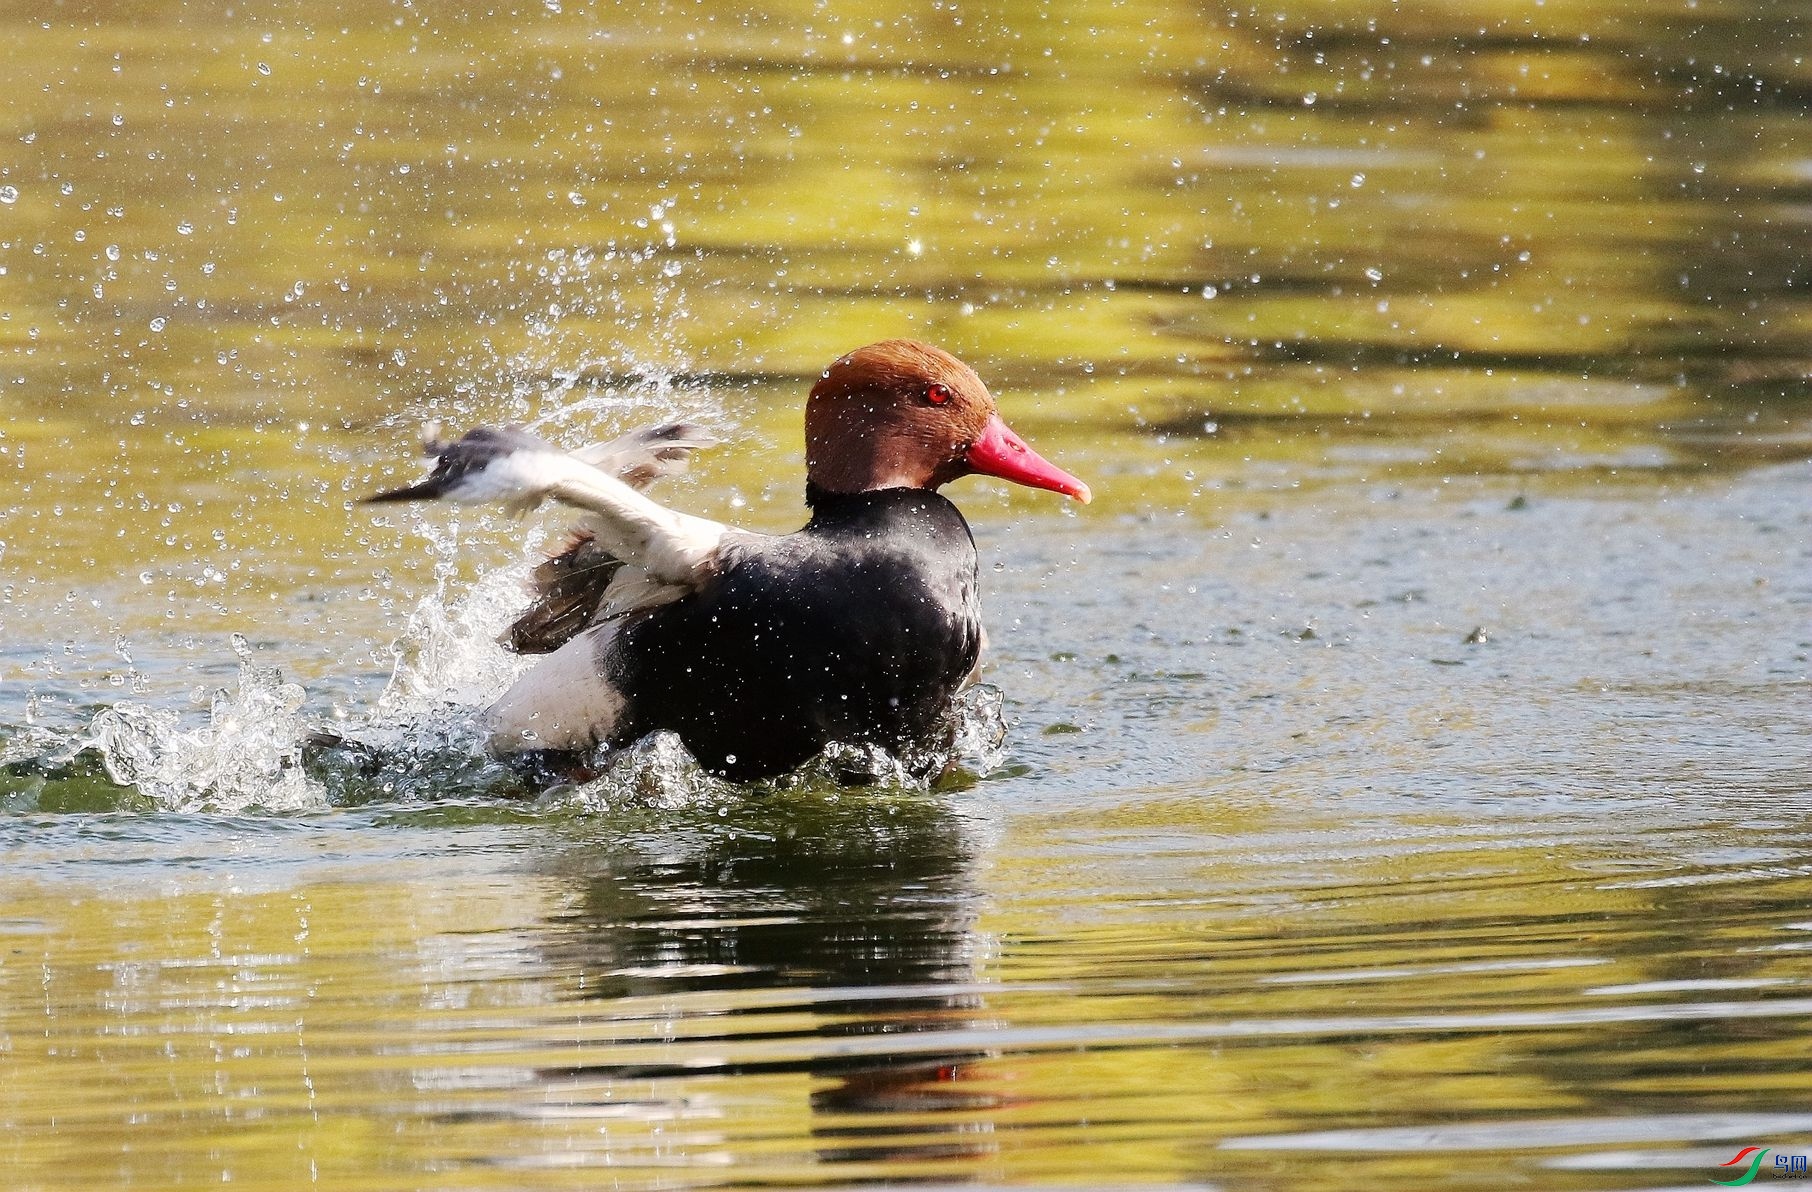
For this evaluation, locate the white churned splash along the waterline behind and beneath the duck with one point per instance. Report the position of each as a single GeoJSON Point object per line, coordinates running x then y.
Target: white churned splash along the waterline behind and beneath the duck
{"type": "Point", "coordinates": [425, 740]}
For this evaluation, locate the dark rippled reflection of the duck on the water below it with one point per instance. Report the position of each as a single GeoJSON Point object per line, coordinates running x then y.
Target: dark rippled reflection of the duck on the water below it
{"type": "Point", "coordinates": [822, 937]}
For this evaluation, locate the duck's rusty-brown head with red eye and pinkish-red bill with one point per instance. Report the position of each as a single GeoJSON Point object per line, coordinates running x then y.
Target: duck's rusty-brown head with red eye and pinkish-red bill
{"type": "Point", "coordinates": [901, 414]}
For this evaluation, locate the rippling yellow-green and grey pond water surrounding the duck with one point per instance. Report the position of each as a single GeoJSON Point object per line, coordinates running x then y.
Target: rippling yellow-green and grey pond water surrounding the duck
{"type": "Point", "coordinates": [1407, 780]}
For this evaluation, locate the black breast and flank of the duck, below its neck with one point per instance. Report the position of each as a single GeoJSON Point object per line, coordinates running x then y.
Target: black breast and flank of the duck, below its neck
{"type": "Point", "coordinates": [860, 628]}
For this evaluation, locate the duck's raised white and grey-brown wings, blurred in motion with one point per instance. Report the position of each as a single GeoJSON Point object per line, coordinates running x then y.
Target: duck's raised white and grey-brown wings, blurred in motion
{"type": "Point", "coordinates": [628, 552]}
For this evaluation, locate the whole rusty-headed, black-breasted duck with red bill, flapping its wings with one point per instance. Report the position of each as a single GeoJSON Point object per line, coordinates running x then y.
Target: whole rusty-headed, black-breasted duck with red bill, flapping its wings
{"type": "Point", "coordinates": [758, 651]}
